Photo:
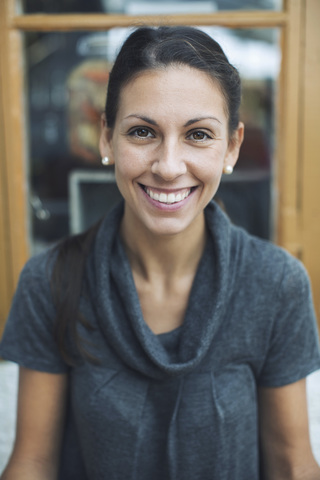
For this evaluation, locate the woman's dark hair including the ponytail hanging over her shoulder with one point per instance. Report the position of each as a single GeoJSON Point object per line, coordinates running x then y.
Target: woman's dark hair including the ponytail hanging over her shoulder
{"type": "Point", "coordinates": [145, 49]}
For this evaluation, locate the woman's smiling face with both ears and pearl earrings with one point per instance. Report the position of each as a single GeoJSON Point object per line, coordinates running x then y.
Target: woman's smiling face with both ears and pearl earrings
{"type": "Point", "coordinates": [169, 145]}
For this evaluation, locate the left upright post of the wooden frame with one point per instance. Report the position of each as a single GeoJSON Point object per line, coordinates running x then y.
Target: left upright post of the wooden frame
{"type": "Point", "coordinates": [13, 211]}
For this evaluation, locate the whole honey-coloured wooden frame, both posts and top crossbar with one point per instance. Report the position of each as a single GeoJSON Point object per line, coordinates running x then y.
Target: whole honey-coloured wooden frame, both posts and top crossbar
{"type": "Point", "coordinates": [296, 166]}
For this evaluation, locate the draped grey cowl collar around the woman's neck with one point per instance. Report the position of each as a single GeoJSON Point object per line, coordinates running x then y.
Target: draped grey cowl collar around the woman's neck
{"type": "Point", "coordinates": [118, 308]}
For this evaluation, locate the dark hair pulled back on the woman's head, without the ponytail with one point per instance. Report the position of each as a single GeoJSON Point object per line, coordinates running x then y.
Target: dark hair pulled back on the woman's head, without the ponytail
{"type": "Point", "coordinates": [150, 48]}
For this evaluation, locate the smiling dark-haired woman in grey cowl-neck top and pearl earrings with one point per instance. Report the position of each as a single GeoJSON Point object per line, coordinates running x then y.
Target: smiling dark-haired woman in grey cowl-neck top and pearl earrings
{"type": "Point", "coordinates": [193, 339]}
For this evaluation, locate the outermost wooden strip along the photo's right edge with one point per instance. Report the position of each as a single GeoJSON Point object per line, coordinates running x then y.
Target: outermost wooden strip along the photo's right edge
{"type": "Point", "coordinates": [309, 149]}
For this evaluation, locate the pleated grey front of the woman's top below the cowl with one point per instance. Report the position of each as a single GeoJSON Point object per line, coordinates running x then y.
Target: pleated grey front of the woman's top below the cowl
{"type": "Point", "coordinates": [178, 423]}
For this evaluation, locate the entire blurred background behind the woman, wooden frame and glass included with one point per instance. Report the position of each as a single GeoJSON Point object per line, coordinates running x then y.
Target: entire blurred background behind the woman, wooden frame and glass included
{"type": "Point", "coordinates": [55, 57]}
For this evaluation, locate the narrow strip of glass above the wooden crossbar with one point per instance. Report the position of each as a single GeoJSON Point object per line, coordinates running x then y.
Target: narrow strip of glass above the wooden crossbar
{"type": "Point", "coordinates": [145, 7]}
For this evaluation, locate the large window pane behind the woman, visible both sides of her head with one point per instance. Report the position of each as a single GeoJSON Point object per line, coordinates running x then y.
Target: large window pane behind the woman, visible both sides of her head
{"type": "Point", "coordinates": [67, 75]}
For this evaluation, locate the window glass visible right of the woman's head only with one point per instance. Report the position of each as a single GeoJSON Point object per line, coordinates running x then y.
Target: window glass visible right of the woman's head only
{"type": "Point", "coordinates": [247, 193]}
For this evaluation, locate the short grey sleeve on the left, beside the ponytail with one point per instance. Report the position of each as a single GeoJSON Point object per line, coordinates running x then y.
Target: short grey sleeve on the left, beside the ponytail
{"type": "Point", "coordinates": [28, 336]}
